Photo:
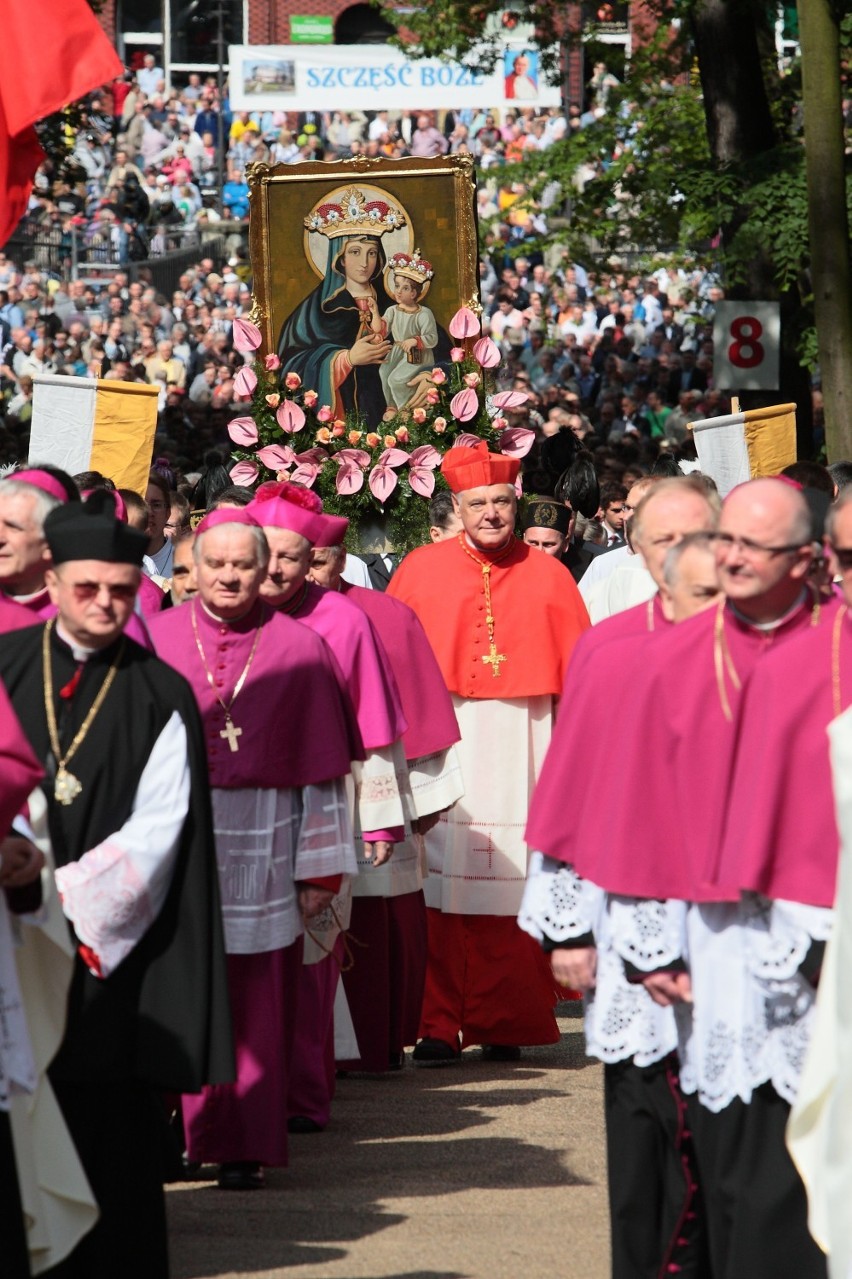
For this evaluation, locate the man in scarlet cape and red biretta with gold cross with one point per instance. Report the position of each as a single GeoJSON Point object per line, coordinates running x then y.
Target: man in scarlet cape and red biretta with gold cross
{"type": "Point", "coordinates": [503, 621]}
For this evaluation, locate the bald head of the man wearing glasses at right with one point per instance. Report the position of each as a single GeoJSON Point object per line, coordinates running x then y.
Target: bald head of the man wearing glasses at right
{"type": "Point", "coordinates": [764, 548]}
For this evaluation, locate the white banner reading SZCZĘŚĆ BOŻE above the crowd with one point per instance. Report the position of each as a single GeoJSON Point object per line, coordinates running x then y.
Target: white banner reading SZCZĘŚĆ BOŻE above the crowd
{"type": "Point", "coordinates": [377, 79]}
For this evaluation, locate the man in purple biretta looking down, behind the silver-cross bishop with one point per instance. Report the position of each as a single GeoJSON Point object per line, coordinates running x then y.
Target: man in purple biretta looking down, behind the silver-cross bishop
{"type": "Point", "coordinates": [292, 521]}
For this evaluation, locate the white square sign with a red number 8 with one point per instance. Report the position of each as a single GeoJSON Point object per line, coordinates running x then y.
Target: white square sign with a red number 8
{"type": "Point", "coordinates": [746, 341]}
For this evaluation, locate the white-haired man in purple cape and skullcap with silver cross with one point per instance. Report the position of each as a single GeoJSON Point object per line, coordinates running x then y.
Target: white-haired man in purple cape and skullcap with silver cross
{"type": "Point", "coordinates": [281, 739]}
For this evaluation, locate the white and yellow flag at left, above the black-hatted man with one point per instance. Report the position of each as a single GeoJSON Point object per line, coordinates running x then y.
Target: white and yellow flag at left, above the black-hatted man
{"type": "Point", "coordinates": [91, 424]}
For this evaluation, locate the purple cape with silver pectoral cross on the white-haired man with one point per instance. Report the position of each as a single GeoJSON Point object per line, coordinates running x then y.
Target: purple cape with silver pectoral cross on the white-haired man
{"type": "Point", "coordinates": [297, 725]}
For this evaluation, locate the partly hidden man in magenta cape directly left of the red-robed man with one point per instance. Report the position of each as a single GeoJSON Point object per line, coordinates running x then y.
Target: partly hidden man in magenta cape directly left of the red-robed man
{"type": "Point", "coordinates": [384, 987]}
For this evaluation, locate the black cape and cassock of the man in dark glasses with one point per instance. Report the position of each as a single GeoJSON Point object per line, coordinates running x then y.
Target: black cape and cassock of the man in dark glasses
{"type": "Point", "coordinates": [161, 1021]}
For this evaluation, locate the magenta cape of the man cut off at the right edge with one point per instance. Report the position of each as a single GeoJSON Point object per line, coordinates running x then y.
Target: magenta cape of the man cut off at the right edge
{"type": "Point", "coordinates": [781, 833]}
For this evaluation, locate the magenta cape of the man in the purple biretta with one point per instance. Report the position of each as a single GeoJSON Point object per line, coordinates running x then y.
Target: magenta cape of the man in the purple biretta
{"type": "Point", "coordinates": [368, 671]}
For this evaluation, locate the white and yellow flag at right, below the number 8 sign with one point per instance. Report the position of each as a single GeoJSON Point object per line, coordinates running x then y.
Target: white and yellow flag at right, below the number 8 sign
{"type": "Point", "coordinates": [740, 447]}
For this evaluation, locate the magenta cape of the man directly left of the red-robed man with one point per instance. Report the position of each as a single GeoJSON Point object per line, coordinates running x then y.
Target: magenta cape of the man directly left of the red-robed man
{"type": "Point", "coordinates": [427, 704]}
